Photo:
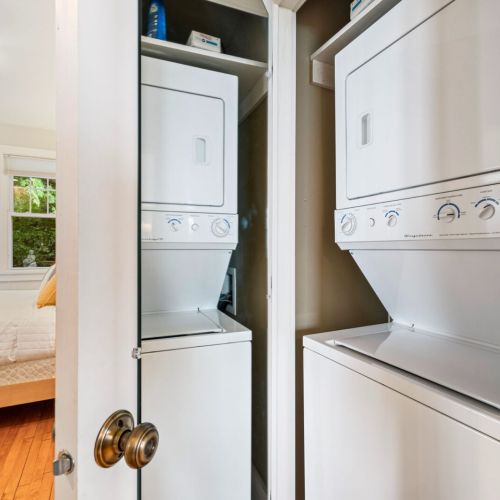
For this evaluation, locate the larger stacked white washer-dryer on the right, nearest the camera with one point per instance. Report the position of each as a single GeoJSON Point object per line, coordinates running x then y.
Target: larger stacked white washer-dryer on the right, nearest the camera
{"type": "Point", "coordinates": [411, 409]}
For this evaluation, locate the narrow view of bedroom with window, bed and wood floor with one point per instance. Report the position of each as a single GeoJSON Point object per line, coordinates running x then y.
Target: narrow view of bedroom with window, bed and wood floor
{"type": "Point", "coordinates": [27, 249]}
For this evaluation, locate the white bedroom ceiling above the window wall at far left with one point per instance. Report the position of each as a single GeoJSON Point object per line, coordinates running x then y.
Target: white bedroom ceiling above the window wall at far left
{"type": "Point", "coordinates": [27, 63]}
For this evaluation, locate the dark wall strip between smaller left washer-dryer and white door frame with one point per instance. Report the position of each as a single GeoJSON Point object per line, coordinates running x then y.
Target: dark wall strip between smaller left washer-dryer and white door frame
{"type": "Point", "coordinates": [250, 259]}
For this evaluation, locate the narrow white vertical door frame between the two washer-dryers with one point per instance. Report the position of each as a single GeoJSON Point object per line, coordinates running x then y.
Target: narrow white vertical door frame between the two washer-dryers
{"type": "Point", "coordinates": [281, 252]}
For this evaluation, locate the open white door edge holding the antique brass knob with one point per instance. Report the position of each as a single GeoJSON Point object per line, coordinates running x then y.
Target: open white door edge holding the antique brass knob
{"type": "Point", "coordinates": [97, 147]}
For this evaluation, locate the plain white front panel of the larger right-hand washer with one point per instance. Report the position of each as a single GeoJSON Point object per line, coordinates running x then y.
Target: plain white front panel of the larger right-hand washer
{"type": "Point", "coordinates": [364, 440]}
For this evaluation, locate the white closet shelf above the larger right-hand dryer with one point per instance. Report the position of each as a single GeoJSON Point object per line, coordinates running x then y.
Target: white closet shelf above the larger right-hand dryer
{"type": "Point", "coordinates": [323, 67]}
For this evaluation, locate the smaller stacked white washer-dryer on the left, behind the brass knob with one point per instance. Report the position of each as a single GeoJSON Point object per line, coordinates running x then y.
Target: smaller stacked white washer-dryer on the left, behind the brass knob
{"type": "Point", "coordinates": [196, 361]}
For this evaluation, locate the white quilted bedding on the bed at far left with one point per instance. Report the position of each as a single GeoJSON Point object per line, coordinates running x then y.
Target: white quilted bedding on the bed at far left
{"type": "Point", "coordinates": [26, 333]}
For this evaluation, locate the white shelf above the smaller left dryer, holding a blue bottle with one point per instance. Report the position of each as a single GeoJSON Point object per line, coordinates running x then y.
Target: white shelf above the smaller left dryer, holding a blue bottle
{"type": "Point", "coordinates": [248, 71]}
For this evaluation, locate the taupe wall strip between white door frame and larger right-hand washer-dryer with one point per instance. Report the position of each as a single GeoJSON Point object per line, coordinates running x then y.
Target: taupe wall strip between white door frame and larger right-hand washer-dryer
{"type": "Point", "coordinates": [331, 292]}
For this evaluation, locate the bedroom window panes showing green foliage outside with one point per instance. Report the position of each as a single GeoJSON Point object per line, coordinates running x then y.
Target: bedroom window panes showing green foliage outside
{"type": "Point", "coordinates": [33, 222]}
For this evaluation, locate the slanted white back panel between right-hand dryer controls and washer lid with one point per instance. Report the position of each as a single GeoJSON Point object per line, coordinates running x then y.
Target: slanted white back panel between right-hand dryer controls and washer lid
{"type": "Point", "coordinates": [448, 292]}
